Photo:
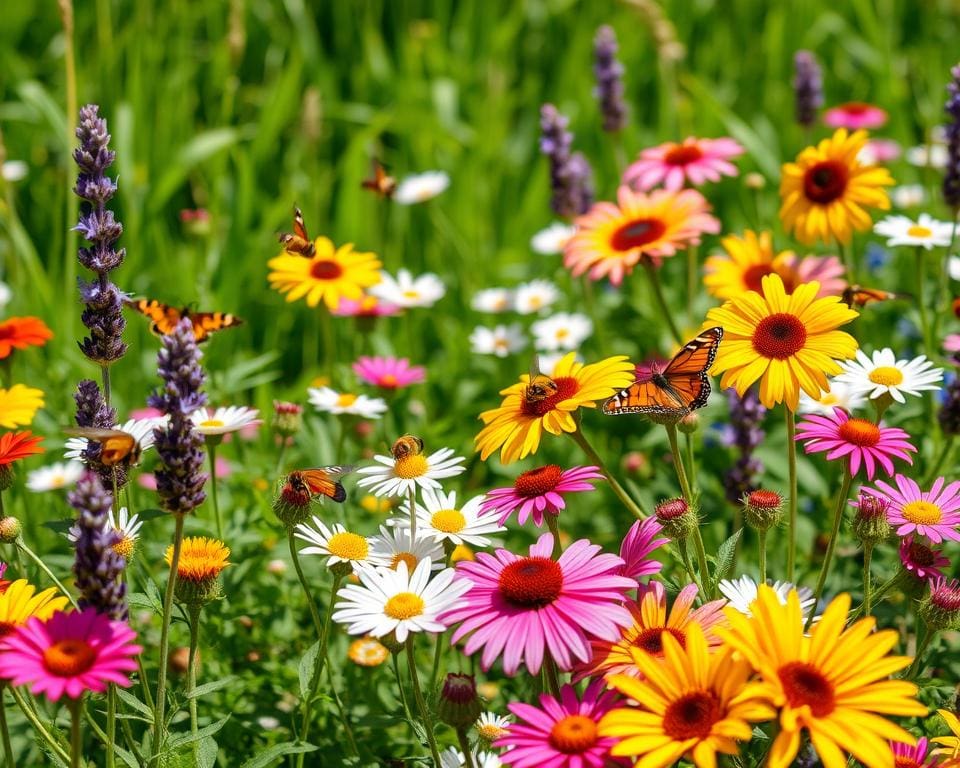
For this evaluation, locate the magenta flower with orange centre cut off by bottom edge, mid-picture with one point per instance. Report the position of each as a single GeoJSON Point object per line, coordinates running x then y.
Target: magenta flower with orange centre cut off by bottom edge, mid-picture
{"type": "Point", "coordinates": [560, 733]}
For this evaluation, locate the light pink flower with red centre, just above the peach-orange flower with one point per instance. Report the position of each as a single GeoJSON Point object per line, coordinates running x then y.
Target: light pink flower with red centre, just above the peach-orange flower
{"type": "Point", "coordinates": [695, 161]}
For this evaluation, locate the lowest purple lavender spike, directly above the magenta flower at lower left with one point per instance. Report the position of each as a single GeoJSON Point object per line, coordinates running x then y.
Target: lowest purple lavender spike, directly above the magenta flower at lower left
{"type": "Point", "coordinates": [97, 567]}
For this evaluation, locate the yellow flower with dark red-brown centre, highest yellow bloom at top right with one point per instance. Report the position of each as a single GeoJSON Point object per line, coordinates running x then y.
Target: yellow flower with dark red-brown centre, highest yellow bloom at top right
{"type": "Point", "coordinates": [823, 193]}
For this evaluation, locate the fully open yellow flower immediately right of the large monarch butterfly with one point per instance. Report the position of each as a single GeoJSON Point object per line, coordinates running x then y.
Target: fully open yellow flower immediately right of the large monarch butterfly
{"type": "Point", "coordinates": [788, 341]}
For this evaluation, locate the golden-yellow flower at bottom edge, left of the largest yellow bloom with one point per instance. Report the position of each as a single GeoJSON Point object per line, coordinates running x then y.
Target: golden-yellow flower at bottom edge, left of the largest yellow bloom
{"type": "Point", "coordinates": [693, 703]}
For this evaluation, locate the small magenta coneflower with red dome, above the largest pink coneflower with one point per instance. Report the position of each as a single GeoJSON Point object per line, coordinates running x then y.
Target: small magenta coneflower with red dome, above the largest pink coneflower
{"type": "Point", "coordinates": [537, 491]}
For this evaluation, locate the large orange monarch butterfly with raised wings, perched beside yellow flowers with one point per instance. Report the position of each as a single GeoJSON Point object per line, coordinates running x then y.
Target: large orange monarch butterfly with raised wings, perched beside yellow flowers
{"type": "Point", "coordinates": [673, 389]}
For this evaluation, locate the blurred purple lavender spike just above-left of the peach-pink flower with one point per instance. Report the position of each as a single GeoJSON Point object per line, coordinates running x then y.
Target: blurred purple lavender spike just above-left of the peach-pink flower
{"type": "Point", "coordinates": [570, 175]}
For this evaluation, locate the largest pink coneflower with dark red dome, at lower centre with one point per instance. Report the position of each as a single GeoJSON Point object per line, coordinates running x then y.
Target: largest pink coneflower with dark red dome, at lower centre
{"type": "Point", "coordinates": [523, 607]}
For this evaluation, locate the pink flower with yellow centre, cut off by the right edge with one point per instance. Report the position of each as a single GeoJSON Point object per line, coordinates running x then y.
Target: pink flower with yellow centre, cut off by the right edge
{"type": "Point", "coordinates": [934, 513]}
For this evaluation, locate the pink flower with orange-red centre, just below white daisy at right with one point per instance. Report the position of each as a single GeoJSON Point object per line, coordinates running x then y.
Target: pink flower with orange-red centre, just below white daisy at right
{"type": "Point", "coordinates": [860, 440]}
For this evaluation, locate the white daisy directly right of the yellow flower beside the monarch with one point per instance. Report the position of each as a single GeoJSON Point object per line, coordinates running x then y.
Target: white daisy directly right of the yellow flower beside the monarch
{"type": "Point", "coordinates": [882, 373]}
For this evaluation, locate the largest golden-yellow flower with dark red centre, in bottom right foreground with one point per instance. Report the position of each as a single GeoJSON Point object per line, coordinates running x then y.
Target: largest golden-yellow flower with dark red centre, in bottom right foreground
{"type": "Point", "coordinates": [835, 683]}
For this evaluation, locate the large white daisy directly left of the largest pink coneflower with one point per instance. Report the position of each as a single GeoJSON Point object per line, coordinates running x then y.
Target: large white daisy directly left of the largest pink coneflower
{"type": "Point", "coordinates": [398, 601]}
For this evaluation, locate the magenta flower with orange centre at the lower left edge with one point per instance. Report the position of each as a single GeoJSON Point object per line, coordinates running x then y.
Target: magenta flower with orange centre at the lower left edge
{"type": "Point", "coordinates": [69, 653]}
